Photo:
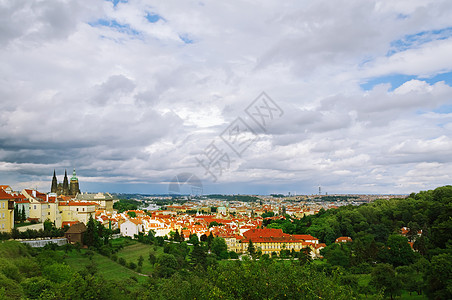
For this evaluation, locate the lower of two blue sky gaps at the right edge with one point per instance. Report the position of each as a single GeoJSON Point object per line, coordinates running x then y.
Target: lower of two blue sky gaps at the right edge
{"type": "Point", "coordinates": [397, 80]}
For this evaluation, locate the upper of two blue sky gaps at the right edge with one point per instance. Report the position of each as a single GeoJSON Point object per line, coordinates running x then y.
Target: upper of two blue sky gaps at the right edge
{"type": "Point", "coordinates": [415, 40]}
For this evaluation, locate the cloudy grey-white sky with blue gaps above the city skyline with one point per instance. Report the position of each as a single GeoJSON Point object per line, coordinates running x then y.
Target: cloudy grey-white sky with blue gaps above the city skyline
{"type": "Point", "coordinates": [236, 97]}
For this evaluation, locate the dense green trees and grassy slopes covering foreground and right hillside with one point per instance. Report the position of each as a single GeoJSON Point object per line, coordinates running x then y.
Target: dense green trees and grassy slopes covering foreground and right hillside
{"type": "Point", "coordinates": [379, 262]}
